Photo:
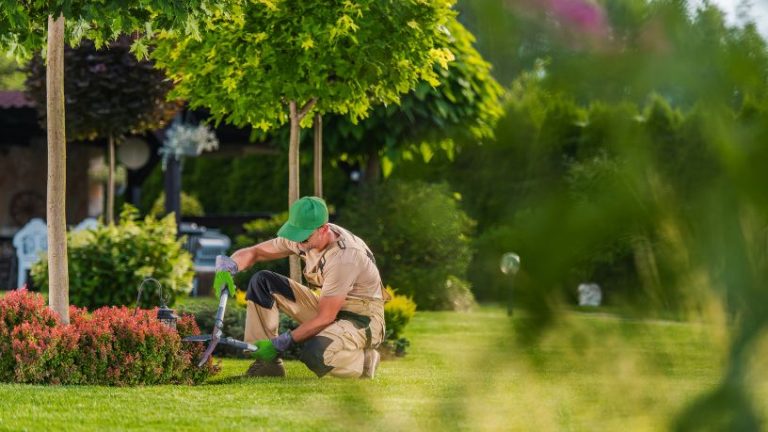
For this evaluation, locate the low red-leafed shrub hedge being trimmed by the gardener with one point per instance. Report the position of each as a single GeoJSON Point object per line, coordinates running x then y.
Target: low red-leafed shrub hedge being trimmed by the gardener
{"type": "Point", "coordinates": [111, 346]}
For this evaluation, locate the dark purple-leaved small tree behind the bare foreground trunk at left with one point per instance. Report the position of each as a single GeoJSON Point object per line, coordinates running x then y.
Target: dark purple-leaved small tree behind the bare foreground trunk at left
{"type": "Point", "coordinates": [110, 93]}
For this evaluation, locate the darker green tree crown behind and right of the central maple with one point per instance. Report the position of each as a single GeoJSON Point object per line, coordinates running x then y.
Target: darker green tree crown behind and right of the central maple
{"type": "Point", "coordinates": [463, 108]}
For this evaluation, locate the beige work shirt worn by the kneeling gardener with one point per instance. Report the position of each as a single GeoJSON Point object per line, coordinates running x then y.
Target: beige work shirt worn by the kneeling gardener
{"type": "Point", "coordinates": [345, 267]}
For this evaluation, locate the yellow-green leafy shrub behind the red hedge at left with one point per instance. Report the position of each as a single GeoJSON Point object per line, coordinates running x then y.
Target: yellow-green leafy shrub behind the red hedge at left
{"type": "Point", "coordinates": [107, 264]}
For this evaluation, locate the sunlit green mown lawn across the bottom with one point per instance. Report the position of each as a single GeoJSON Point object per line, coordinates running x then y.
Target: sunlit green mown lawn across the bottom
{"type": "Point", "coordinates": [464, 372]}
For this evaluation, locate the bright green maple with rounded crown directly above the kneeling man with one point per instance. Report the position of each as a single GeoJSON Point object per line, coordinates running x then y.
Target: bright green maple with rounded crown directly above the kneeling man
{"type": "Point", "coordinates": [269, 63]}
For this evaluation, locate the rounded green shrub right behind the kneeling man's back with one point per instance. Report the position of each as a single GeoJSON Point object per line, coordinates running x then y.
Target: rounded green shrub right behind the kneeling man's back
{"type": "Point", "coordinates": [420, 238]}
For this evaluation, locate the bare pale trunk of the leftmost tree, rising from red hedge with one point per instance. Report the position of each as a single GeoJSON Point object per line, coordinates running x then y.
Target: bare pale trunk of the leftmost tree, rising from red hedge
{"type": "Point", "coordinates": [58, 272]}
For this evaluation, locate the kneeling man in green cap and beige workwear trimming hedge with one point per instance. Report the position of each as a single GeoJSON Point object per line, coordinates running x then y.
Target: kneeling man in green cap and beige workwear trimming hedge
{"type": "Point", "coordinates": [341, 327]}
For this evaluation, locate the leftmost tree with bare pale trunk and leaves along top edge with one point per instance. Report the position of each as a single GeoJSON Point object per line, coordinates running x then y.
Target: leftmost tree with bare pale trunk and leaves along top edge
{"type": "Point", "coordinates": [34, 26]}
